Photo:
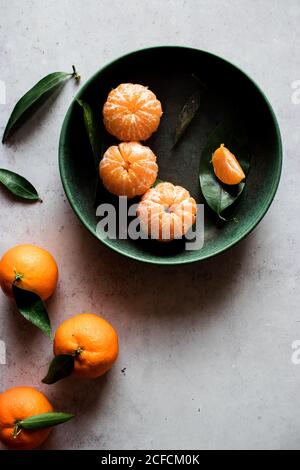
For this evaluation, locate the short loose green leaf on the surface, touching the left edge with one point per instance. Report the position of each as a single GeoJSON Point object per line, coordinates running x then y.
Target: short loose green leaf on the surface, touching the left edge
{"type": "Point", "coordinates": [18, 185]}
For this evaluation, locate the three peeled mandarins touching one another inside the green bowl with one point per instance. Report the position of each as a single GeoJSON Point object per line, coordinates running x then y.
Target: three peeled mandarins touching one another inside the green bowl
{"type": "Point", "coordinates": [131, 114]}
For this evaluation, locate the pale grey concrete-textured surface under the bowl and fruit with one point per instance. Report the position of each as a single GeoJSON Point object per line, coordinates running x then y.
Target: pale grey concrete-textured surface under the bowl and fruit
{"type": "Point", "coordinates": [207, 347]}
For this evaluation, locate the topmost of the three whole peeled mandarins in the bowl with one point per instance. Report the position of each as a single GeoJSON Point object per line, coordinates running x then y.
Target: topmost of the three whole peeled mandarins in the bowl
{"type": "Point", "coordinates": [131, 112]}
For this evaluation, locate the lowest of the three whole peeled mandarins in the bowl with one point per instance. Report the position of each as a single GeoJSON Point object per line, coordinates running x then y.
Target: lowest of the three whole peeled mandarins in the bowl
{"type": "Point", "coordinates": [167, 212]}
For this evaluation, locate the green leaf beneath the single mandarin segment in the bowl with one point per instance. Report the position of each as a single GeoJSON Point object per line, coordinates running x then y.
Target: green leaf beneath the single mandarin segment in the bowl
{"type": "Point", "coordinates": [231, 133]}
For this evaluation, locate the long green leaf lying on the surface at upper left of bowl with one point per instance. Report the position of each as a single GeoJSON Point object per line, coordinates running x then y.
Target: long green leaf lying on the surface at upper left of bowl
{"type": "Point", "coordinates": [30, 102]}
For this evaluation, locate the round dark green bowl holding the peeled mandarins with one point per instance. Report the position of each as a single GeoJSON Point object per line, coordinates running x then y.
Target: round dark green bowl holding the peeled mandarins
{"type": "Point", "coordinates": [168, 71]}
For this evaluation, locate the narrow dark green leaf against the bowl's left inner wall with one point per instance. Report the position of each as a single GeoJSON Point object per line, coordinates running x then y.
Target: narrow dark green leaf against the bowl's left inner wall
{"type": "Point", "coordinates": [93, 131]}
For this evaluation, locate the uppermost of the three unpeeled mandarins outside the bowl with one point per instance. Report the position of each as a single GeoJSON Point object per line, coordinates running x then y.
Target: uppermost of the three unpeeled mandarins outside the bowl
{"type": "Point", "coordinates": [31, 268]}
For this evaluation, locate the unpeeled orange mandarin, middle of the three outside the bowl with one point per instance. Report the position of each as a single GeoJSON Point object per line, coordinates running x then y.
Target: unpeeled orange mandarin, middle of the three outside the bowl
{"type": "Point", "coordinates": [92, 340]}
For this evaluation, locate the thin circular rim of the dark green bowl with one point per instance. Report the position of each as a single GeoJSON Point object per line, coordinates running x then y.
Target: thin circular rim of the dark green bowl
{"type": "Point", "coordinates": [169, 262]}
